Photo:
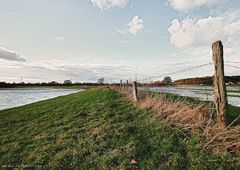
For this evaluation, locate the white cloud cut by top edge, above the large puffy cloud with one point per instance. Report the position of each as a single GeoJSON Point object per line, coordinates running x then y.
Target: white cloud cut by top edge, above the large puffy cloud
{"type": "Point", "coordinates": [186, 5]}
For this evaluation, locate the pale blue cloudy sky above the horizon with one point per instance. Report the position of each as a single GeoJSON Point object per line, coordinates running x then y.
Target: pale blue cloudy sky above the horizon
{"type": "Point", "coordinates": [84, 40]}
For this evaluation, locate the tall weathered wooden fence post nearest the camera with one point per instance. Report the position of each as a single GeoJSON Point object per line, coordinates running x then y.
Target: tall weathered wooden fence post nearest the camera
{"type": "Point", "coordinates": [220, 95]}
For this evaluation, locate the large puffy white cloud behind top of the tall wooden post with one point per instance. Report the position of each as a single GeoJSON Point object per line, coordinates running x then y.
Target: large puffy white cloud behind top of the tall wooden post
{"type": "Point", "coordinates": [192, 32]}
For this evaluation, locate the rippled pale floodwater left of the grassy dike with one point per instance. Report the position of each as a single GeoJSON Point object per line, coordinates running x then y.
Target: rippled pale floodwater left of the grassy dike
{"type": "Point", "coordinates": [17, 97]}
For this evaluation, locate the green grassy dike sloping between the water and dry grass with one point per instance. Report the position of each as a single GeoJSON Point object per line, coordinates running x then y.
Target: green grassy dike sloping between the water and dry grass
{"type": "Point", "coordinates": [97, 129]}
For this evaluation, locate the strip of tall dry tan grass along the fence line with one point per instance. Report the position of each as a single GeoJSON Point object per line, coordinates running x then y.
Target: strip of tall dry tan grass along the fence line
{"type": "Point", "coordinates": [190, 118]}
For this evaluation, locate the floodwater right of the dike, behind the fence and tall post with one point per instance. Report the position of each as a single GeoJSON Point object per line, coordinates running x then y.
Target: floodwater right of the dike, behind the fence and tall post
{"type": "Point", "coordinates": [201, 92]}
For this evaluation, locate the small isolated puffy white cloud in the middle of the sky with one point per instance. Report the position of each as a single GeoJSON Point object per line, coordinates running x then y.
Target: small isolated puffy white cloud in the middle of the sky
{"type": "Point", "coordinates": [135, 25]}
